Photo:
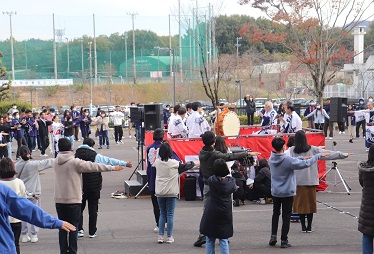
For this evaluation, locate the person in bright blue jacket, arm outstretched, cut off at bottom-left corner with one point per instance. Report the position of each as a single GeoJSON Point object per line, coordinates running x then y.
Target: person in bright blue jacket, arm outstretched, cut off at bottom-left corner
{"type": "Point", "coordinates": [18, 207]}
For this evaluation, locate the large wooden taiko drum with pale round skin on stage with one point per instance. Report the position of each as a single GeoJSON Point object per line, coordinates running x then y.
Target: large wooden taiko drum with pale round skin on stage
{"type": "Point", "coordinates": [227, 123]}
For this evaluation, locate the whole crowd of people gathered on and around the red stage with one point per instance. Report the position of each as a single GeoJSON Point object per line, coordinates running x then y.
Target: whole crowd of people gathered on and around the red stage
{"type": "Point", "coordinates": [288, 178]}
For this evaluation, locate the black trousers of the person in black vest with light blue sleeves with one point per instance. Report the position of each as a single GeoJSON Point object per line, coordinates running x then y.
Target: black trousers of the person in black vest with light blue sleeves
{"type": "Point", "coordinates": [92, 197]}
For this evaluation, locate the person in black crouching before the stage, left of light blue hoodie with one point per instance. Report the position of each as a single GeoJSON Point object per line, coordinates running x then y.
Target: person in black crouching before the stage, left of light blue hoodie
{"type": "Point", "coordinates": [262, 181]}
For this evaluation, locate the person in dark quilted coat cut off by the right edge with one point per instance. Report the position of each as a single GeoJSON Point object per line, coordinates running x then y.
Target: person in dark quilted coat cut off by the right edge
{"type": "Point", "coordinates": [366, 217]}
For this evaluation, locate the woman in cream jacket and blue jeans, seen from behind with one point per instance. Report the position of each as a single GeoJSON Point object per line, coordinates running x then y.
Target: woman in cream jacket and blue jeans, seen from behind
{"type": "Point", "coordinates": [167, 188]}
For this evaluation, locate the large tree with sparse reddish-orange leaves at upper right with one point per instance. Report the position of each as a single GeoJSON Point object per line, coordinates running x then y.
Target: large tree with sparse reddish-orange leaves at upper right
{"type": "Point", "coordinates": [313, 31]}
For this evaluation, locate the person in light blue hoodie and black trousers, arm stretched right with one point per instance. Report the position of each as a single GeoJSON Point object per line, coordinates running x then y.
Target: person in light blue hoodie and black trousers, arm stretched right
{"type": "Point", "coordinates": [283, 186]}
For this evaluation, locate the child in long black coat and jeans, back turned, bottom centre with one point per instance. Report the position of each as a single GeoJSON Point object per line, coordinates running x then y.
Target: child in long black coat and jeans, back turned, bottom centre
{"type": "Point", "coordinates": [217, 217]}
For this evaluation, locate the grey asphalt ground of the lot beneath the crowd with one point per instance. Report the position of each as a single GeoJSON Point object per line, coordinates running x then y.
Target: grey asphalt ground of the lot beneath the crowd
{"type": "Point", "coordinates": [126, 225]}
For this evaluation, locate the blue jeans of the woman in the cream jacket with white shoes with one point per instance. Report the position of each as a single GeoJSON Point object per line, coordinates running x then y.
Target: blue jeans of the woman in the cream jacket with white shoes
{"type": "Point", "coordinates": [167, 207]}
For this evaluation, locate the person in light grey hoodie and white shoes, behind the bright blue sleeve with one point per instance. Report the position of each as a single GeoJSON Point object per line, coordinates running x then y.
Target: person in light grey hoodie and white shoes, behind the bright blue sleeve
{"type": "Point", "coordinates": [28, 171]}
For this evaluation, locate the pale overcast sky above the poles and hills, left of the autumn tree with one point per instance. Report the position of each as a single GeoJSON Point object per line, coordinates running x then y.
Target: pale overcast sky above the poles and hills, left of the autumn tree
{"type": "Point", "coordinates": [75, 18]}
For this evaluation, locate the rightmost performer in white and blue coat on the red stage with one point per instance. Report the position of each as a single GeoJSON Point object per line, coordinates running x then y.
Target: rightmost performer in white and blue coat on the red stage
{"type": "Point", "coordinates": [291, 121]}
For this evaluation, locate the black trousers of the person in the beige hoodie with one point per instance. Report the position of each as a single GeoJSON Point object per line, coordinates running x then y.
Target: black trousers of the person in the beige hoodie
{"type": "Point", "coordinates": [70, 213]}
